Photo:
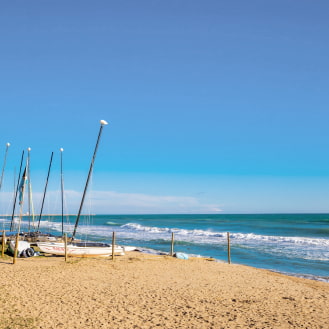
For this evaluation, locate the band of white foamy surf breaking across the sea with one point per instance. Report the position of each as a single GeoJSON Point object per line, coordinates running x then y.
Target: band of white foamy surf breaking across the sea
{"type": "Point", "coordinates": [315, 249]}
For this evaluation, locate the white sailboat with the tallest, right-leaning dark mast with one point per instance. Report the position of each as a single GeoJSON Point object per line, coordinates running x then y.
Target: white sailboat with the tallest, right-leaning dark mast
{"type": "Point", "coordinates": [82, 248]}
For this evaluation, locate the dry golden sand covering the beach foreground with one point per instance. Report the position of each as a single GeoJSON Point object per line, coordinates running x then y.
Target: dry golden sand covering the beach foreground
{"type": "Point", "coordinates": [144, 291]}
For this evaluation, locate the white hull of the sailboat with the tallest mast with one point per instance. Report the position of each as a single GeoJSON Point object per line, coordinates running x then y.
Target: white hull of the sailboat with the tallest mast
{"type": "Point", "coordinates": [58, 248]}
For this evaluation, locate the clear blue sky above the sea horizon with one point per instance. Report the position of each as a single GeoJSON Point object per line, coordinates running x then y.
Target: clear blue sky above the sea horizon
{"type": "Point", "coordinates": [213, 106]}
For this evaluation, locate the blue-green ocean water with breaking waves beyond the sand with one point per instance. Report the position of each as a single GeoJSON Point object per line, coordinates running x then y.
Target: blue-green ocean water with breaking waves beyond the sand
{"type": "Point", "coordinates": [294, 244]}
